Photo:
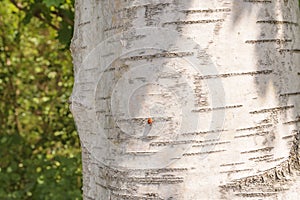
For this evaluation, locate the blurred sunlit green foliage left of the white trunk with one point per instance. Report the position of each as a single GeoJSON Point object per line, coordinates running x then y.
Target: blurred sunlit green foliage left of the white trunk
{"type": "Point", "coordinates": [40, 154]}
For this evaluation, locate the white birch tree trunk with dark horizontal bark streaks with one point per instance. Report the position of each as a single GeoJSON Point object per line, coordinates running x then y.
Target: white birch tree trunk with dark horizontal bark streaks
{"type": "Point", "coordinates": [188, 99]}
